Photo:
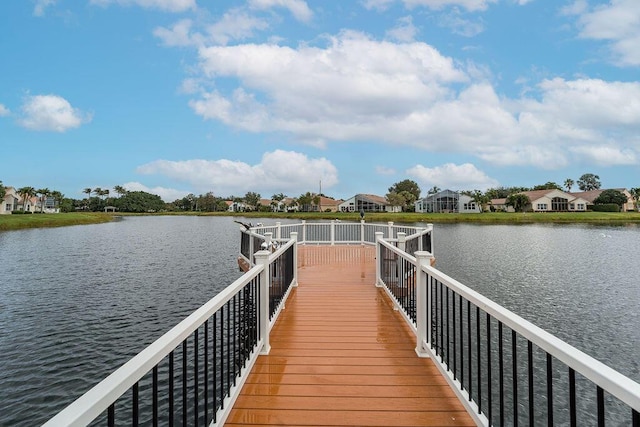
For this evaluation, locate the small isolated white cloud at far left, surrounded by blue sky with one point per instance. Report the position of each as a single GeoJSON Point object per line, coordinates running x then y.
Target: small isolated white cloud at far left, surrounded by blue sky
{"type": "Point", "coordinates": [51, 113]}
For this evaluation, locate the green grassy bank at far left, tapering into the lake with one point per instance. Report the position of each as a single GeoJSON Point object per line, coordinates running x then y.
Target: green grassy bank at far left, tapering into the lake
{"type": "Point", "coordinates": [17, 222]}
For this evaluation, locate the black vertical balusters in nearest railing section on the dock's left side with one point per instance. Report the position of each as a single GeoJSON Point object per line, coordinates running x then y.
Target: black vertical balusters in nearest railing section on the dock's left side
{"type": "Point", "coordinates": [189, 386]}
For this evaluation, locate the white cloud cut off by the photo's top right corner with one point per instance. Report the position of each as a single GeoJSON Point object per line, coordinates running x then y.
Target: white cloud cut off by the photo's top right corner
{"type": "Point", "coordinates": [617, 22]}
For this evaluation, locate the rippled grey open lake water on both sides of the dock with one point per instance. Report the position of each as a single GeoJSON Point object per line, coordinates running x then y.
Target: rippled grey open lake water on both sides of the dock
{"type": "Point", "coordinates": [77, 302]}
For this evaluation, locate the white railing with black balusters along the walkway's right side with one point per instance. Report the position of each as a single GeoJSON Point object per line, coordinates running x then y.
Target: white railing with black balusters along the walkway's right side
{"type": "Point", "coordinates": [454, 325]}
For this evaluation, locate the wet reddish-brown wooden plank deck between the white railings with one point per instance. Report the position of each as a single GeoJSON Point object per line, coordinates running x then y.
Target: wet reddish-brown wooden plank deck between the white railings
{"type": "Point", "coordinates": [341, 356]}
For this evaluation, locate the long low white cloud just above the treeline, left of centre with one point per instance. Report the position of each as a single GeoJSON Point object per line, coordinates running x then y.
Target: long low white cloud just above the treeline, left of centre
{"type": "Point", "coordinates": [278, 171]}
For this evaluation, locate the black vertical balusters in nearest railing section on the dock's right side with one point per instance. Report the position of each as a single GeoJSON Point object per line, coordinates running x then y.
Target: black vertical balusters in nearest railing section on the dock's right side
{"type": "Point", "coordinates": [511, 380]}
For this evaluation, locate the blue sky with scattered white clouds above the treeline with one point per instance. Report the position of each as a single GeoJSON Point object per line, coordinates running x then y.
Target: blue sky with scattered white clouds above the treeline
{"type": "Point", "coordinates": [275, 96]}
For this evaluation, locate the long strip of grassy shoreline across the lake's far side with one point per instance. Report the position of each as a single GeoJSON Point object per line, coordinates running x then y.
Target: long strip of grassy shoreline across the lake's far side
{"type": "Point", "coordinates": [20, 222]}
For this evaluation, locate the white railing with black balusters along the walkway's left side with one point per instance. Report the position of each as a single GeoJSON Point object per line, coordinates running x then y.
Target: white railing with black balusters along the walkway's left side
{"type": "Point", "coordinates": [241, 294]}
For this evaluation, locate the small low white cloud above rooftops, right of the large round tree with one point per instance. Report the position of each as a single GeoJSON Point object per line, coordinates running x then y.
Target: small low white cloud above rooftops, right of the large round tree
{"type": "Point", "coordinates": [452, 176]}
